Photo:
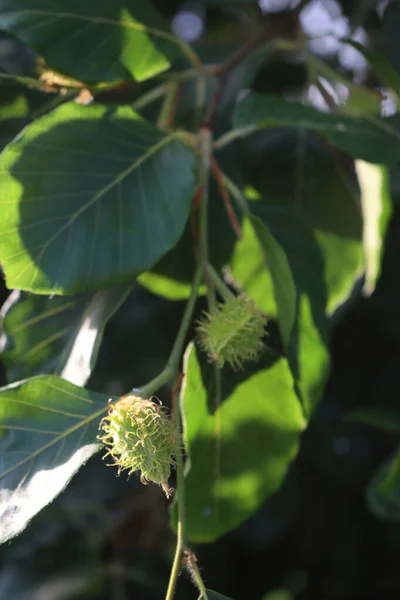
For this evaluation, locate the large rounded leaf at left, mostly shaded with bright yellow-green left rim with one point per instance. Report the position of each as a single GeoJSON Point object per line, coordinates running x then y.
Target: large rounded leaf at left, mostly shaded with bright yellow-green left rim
{"type": "Point", "coordinates": [85, 202]}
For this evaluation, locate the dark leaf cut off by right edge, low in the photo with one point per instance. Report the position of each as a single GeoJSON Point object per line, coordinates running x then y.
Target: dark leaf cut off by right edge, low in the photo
{"type": "Point", "coordinates": [383, 492]}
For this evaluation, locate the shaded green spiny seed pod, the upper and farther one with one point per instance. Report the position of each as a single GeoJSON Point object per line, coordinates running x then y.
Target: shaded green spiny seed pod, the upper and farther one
{"type": "Point", "coordinates": [233, 332]}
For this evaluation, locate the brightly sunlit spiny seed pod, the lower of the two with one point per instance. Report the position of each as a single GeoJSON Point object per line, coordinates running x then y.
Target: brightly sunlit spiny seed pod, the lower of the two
{"type": "Point", "coordinates": [141, 437]}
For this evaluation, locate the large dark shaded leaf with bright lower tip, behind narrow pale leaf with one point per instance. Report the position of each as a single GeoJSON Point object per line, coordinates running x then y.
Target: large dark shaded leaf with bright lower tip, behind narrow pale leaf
{"type": "Point", "coordinates": [293, 172]}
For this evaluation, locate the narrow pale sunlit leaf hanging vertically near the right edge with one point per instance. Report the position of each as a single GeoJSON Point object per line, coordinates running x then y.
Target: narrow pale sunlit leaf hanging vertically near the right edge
{"type": "Point", "coordinates": [377, 210]}
